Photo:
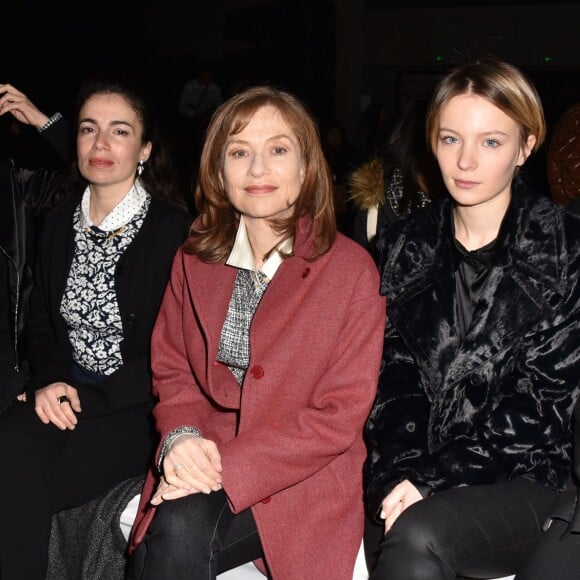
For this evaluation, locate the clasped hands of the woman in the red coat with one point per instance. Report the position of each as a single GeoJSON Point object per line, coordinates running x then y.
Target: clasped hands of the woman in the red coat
{"type": "Point", "coordinates": [193, 465]}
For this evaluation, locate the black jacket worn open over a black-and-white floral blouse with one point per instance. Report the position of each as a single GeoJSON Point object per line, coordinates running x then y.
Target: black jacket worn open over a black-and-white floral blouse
{"type": "Point", "coordinates": [141, 276]}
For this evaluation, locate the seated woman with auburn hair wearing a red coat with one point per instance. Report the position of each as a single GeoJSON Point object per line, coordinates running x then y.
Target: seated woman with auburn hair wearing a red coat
{"type": "Point", "coordinates": [265, 357]}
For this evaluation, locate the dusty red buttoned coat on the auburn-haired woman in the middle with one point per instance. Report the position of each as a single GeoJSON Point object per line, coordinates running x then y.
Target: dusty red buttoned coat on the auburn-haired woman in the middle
{"type": "Point", "coordinates": [316, 343]}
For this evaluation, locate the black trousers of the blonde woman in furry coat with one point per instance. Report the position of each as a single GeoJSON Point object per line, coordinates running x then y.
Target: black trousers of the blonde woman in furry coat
{"type": "Point", "coordinates": [483, 531]}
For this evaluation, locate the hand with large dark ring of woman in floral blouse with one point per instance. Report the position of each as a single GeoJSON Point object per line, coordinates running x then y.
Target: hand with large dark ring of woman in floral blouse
{"type": "Point", "coordinates": [57, 404]}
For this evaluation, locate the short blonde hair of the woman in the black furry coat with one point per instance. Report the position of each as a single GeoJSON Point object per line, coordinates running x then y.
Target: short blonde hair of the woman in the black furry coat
{"type": "Point", "coordinates": [500, 83]}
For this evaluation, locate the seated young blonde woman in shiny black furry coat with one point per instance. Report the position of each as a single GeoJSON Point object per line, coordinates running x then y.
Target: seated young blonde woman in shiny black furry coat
{"type": "Point", "coordinates": [470, 436]}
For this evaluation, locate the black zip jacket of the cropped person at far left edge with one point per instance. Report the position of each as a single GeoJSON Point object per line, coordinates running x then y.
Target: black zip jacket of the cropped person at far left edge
{"type": "Point", "coordinates": [25, 195]}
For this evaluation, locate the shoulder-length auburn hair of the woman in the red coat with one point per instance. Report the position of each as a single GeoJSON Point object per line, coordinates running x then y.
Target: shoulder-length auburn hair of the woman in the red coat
{"type": "Point", "coordinates": [213, 234]}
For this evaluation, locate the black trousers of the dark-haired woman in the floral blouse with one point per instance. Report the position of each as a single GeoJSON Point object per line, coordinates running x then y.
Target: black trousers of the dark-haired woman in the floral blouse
{"type": "Point", "coordinates": [46, 470]}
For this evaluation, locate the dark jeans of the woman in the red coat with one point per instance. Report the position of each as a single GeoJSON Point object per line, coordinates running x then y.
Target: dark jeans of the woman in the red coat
{"type": "Point", "coordinates": [196, 536]}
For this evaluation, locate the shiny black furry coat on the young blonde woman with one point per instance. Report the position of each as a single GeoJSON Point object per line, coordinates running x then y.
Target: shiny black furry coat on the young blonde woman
{"type": "Point", "coordinates": [497, 404]}
